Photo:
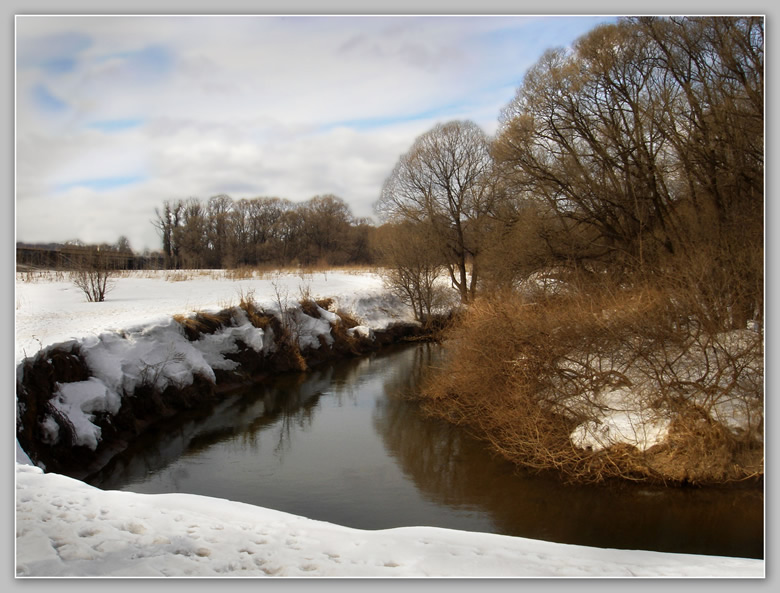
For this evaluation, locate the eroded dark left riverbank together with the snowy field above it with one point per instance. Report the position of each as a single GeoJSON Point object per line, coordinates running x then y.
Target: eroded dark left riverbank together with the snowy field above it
{"type": "Point", "coordinates": [83, 400]}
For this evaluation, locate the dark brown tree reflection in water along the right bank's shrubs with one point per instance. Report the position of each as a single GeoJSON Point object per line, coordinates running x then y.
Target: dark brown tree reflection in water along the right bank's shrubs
{"type": "Point", "coordinates": [448, 467]}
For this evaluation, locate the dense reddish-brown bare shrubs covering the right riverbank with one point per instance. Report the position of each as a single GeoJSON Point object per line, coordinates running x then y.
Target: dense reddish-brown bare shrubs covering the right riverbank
{"type": "Point", "coordinates": [527, 376]}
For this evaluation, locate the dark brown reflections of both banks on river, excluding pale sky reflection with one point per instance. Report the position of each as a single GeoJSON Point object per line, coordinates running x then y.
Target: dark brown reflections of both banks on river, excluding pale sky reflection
{"type": "Point", "coordinates": [447, 466]}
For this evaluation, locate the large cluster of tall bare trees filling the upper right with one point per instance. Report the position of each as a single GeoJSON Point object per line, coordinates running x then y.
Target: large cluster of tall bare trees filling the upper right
{"type": "Point", "coordinates": [644, 145]}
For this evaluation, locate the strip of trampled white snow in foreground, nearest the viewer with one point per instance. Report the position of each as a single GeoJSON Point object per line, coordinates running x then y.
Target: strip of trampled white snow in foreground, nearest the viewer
{"type": "Point", "coordinates": [67, 528]}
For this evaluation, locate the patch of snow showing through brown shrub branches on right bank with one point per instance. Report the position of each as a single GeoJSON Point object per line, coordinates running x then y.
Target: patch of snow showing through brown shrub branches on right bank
{"type": "Point", "coordinates": [625, 414]}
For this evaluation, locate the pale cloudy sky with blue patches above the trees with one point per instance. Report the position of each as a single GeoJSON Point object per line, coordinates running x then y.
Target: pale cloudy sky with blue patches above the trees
{"type": "Point", "coordinates": [115, 115]}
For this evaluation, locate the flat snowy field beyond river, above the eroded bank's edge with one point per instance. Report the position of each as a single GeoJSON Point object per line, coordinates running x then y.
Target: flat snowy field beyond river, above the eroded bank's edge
{"type": "Point", "coordinates": [50, 309]}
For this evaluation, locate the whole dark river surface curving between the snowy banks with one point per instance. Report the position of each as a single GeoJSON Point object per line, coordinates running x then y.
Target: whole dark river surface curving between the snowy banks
{"type": "Point", "coordinates": [338, 445]}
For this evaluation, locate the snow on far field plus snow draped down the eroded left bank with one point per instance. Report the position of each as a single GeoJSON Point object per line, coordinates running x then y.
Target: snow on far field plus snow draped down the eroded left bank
{"type": "Point", "coordinates": [124, 350]}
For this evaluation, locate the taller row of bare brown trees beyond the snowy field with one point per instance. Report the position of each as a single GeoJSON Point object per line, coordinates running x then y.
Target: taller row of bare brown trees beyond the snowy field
{"type": "Point", "coordinates": [226, 233]}
